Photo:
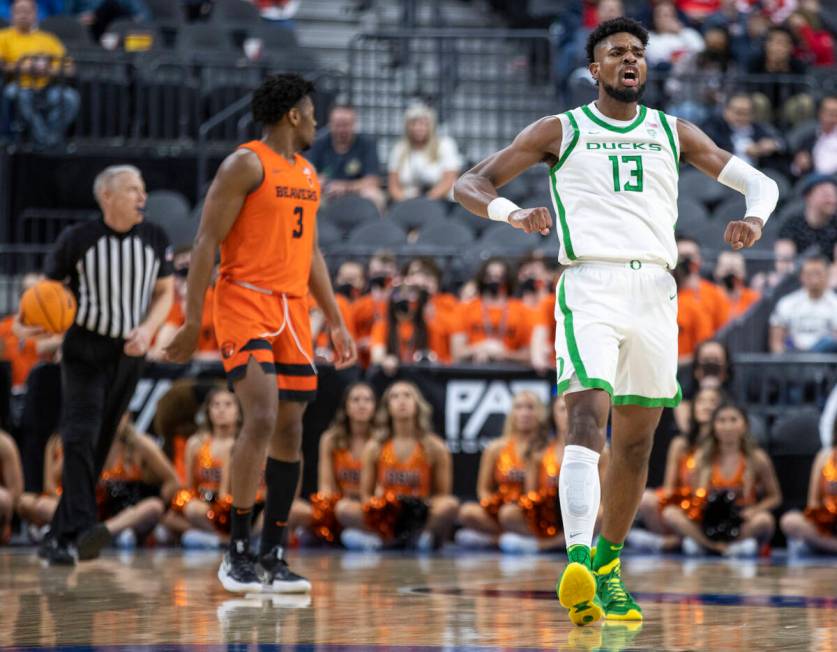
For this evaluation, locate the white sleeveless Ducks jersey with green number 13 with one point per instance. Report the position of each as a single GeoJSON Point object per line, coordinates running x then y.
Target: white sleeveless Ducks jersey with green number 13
{"type": "Point", "coordinates": [614, 187]}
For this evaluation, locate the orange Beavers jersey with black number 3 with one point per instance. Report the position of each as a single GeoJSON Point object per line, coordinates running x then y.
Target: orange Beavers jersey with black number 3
{"type": "Point", "coordinates": [270, 245]}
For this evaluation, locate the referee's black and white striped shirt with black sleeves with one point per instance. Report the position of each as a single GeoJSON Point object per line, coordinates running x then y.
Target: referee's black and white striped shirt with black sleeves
{"type": "Point", "coordinates": [111, 274]}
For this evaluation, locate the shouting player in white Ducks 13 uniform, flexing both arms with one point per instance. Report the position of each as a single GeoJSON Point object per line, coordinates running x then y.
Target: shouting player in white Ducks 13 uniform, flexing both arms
{"type": "Point", "coordinates": [613, 177]}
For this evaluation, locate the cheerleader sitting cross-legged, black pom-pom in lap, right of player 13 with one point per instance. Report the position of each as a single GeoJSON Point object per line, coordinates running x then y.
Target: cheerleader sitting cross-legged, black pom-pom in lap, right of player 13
{"type": "Point", "coordinates": [737, 487]}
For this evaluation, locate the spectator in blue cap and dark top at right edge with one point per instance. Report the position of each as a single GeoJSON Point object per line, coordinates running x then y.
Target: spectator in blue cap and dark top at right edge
{"type": "Point", "coordinates": [816, 228]}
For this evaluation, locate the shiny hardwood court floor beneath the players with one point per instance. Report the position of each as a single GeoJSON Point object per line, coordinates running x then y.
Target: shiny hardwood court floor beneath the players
{"type": "Point", "coordinates": [172, 600]}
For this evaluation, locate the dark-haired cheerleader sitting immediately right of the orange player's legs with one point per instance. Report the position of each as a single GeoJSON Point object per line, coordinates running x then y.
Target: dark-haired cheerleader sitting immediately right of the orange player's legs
{"type": "Point", "coordinates": [339, 468]}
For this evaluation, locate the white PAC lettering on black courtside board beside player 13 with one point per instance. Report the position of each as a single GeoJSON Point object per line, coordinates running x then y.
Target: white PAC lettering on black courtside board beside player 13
{"type": "Point", "coordinates": [475, 410]}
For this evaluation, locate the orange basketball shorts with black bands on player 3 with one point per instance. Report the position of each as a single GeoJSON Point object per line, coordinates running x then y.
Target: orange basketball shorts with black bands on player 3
{"type": "Point", "coordinates": [272, 328]}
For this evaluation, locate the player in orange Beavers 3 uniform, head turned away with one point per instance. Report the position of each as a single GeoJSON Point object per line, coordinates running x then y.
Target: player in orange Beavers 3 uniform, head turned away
{"type": "Point", "coordinates": [261, 210]}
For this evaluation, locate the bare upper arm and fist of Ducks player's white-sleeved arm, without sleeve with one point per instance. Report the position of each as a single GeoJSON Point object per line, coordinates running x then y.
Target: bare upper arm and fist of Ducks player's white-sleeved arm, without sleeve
{"type": "Point", "coordinates": [701, 151]}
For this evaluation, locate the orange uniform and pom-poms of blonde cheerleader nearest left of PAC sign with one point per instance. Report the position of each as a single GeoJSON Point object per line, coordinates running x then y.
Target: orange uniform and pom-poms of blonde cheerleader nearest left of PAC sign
{"type": "Point", "coordinates": [404, 486]}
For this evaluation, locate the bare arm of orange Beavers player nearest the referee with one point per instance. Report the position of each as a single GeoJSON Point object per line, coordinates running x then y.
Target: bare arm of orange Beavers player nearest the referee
{"type": "Point", "coordinates": [239, 175]}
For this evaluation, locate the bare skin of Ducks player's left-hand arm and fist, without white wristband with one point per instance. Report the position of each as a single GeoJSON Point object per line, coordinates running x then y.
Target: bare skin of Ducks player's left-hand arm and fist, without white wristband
{"type": "Point", "coordinates": [477, 188]}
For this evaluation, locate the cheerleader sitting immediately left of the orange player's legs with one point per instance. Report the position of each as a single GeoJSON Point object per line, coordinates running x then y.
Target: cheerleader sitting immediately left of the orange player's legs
{"type": "Point", "coordinates": [197, 511]}
